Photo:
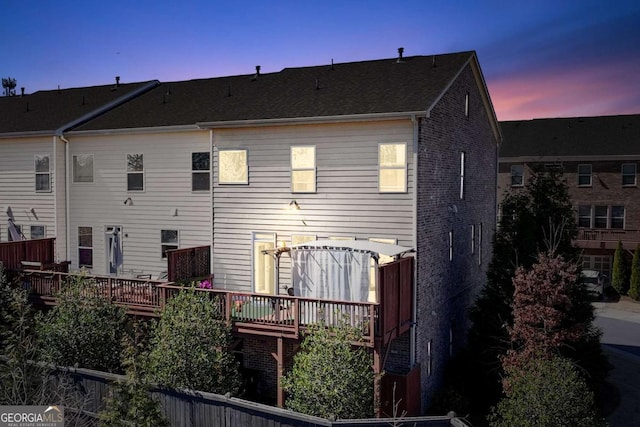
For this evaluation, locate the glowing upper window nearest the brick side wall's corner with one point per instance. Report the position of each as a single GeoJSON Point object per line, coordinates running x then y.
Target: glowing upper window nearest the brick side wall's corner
{"type": "Point", "coordinates": [392, 164]}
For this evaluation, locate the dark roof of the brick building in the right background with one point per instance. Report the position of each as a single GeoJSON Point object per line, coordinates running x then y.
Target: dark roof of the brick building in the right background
{"type": "Point", "coordinates": [569, 137]}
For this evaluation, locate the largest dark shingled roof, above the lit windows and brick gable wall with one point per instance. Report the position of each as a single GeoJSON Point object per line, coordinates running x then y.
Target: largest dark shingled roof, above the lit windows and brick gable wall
{"type": "Point", "coordinates": [381, 86]}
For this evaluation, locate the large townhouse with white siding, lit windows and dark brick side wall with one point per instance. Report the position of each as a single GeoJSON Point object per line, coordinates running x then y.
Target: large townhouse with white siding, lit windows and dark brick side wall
{"type": "Point", "coordinates": [400, 150]}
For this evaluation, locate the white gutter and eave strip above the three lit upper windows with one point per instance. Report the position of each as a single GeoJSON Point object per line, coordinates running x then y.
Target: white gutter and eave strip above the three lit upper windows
{"type": "Point", "coordinates": [310, 120]}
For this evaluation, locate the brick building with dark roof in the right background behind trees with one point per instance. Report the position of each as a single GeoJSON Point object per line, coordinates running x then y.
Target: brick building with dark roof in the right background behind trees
{"type": "Point", "coordinates": [599, 158]}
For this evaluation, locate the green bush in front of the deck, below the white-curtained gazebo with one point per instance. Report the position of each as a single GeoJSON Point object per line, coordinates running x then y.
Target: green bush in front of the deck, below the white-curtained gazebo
{"type": "Point", "coordinates": [330, 377]}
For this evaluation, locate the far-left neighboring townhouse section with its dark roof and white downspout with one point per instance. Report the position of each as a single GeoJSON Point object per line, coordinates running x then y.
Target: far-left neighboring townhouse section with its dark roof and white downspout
{"type": "Point", "coordinates": [33, 159]}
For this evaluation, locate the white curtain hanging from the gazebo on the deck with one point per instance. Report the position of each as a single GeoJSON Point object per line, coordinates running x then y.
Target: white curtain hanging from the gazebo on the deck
{"type": "Point", "coordinates": [331, 274]}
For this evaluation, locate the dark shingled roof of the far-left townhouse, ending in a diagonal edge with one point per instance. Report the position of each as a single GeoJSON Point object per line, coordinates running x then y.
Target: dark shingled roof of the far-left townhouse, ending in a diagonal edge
{"type": "Point", "coordinates": [48, 111]}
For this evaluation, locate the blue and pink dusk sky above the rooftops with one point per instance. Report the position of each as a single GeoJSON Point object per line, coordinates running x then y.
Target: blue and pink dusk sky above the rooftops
{"type": "Point", "coordinates": [540, 58]}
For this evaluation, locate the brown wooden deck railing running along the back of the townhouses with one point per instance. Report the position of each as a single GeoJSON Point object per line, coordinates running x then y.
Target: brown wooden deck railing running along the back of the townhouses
{"type": "Point", "coordinates": [248, 313]}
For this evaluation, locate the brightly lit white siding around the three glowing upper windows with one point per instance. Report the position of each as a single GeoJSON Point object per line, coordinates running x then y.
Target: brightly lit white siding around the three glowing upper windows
{"type": "Point", "coordinates": [347, 201]}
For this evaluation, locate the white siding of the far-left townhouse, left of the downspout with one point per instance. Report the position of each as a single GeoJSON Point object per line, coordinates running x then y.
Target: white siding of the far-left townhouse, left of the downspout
{"type": "Point", "coordinates": [18, 188]}
